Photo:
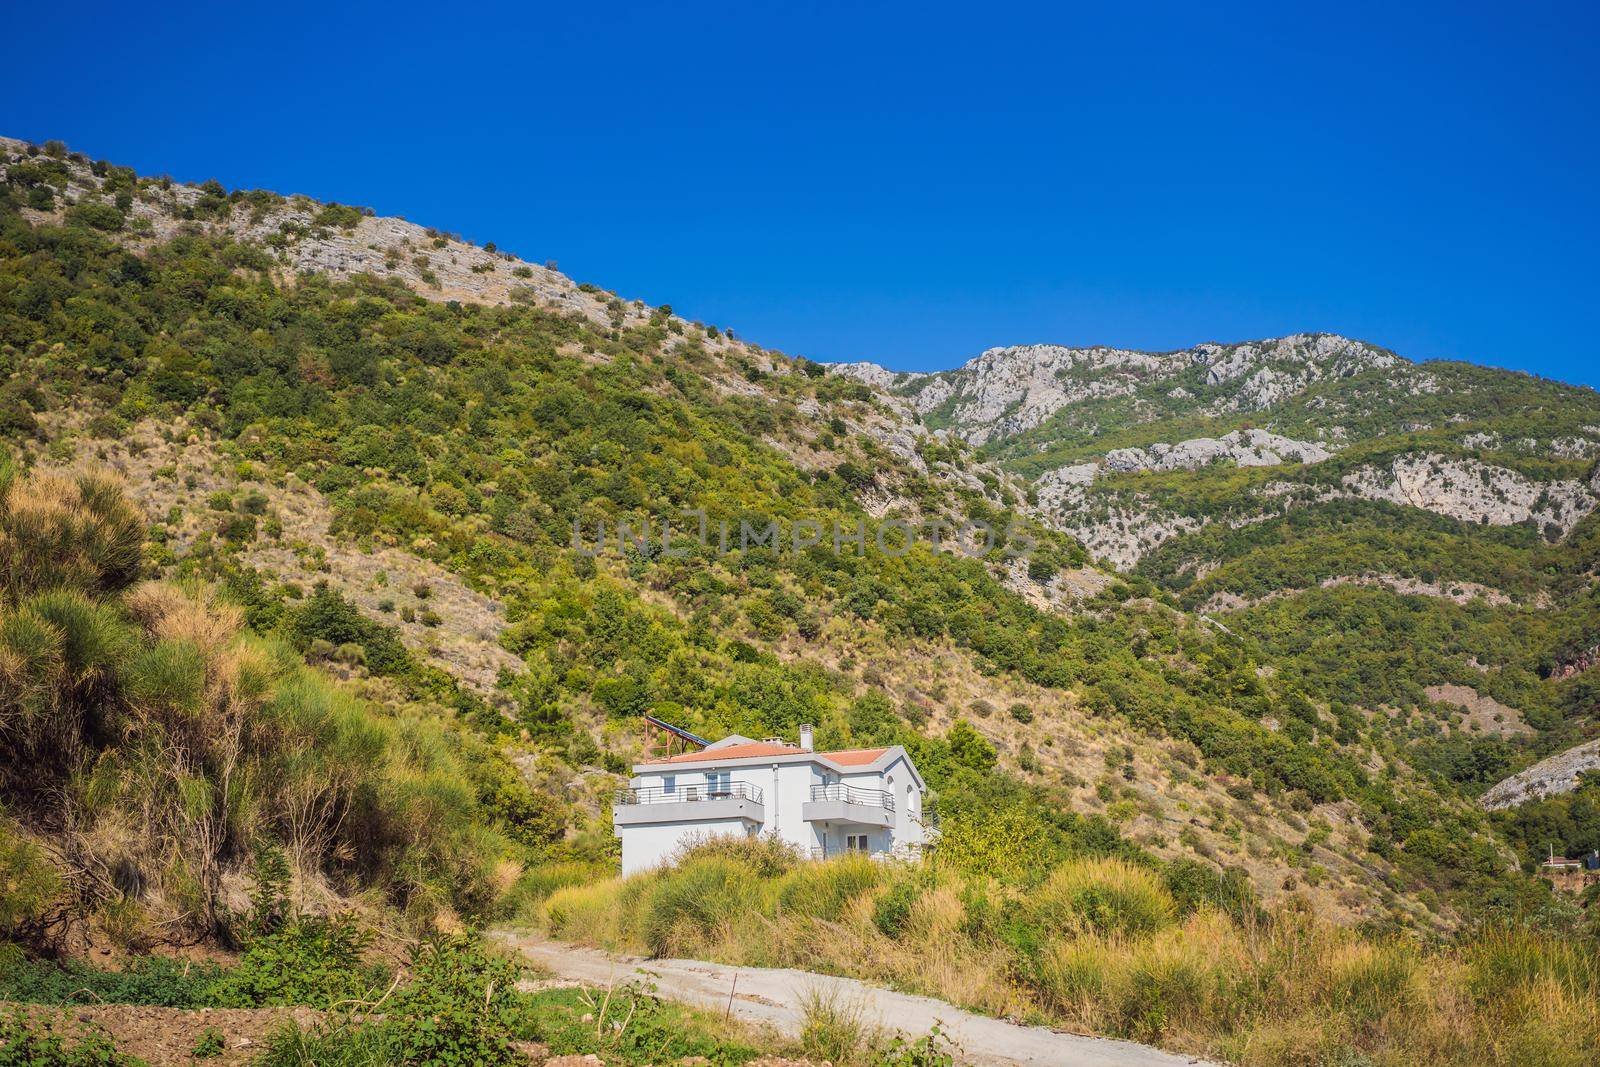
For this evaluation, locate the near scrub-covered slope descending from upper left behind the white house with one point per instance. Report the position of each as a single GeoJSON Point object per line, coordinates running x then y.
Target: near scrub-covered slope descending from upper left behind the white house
{"type": "Point", "coordinates": [322, 425]}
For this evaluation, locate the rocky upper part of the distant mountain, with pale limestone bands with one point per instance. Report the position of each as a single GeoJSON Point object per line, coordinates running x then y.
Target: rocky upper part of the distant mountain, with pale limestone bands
{"type": "Point", "coordinates": [1465, 442]}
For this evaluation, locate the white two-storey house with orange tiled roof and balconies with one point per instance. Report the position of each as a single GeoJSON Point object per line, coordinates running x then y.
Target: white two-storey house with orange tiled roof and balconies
{"type": "Point", "coordinates": [826, 804]}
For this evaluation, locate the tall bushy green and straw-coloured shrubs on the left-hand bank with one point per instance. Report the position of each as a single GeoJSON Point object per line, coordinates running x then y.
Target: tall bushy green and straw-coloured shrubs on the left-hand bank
{"type": "Point", "coordinates": [162, 745]}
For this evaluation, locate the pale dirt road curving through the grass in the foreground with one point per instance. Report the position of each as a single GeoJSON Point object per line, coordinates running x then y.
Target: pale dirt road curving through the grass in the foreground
{"type": "Point", "coordinates": [772, 997]}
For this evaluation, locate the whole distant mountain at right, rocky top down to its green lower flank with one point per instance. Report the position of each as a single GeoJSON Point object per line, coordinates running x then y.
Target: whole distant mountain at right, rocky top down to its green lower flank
{"type": "Point", "coordinates": [1386, 530]}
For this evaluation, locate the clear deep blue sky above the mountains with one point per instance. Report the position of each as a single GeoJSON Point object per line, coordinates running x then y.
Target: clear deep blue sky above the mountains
{"type": "Point", "coordinates": [913, 183]}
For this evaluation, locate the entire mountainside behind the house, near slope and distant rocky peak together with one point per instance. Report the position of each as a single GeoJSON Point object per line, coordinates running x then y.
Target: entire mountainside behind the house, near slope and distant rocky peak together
{"type": "Point", "coordinates": [378, 442]}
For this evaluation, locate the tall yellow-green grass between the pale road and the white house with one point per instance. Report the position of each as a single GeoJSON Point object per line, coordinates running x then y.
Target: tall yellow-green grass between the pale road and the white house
{"type": "Point", "coordinates": [1118, 949]}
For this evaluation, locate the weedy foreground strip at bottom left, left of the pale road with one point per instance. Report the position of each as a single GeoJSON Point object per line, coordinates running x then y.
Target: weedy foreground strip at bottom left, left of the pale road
{"type": "Point", "coordinates": [452, 1004]}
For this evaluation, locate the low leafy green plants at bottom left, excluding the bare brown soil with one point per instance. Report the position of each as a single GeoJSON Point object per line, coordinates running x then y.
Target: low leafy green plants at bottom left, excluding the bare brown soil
{"type": "Point", "coordinates": [454, 1002]}
